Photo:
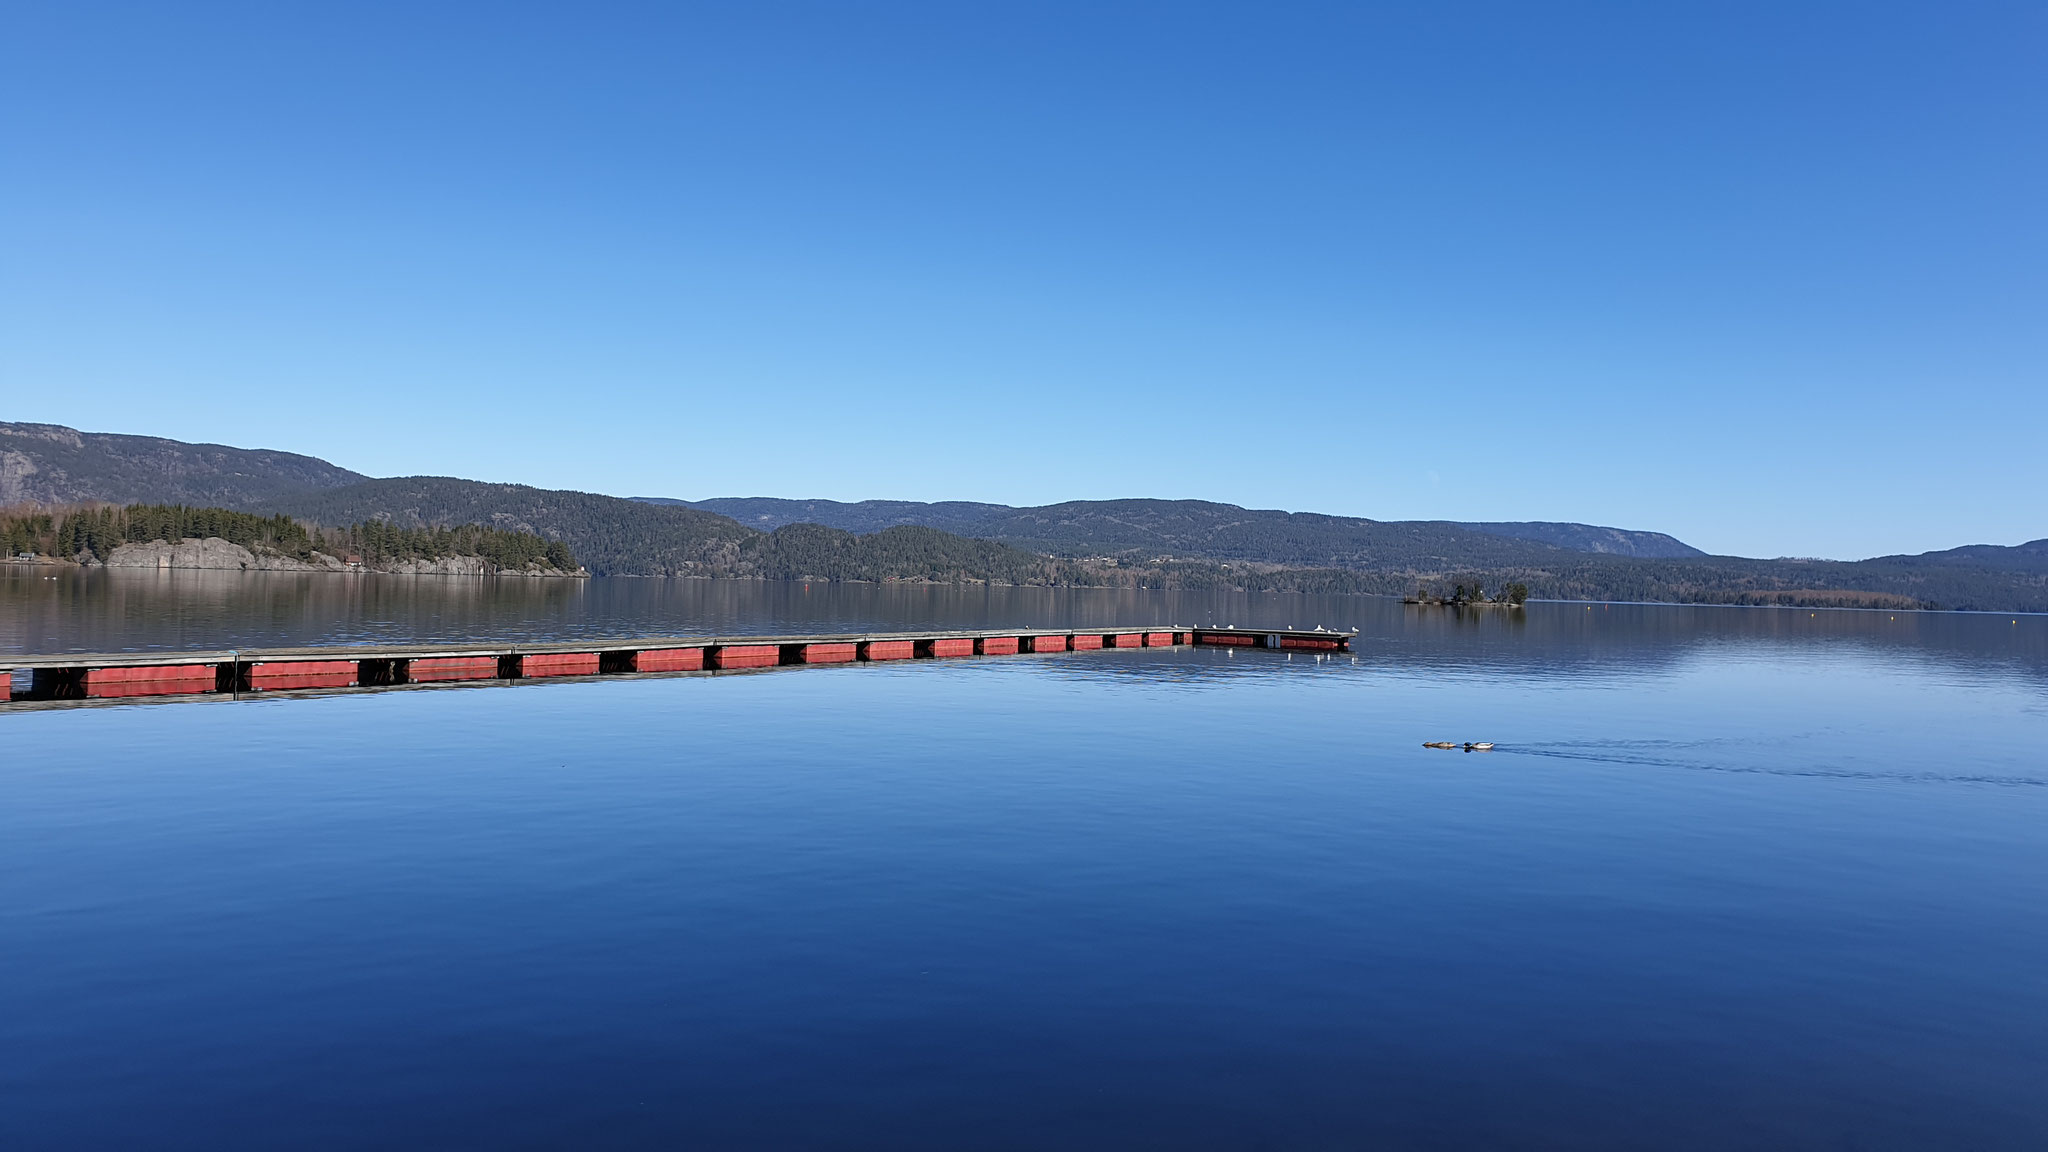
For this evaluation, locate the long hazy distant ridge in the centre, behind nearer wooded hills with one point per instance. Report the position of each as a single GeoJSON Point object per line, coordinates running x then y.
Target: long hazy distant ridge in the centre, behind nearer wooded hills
{"type": "Point", "coordinates": [1205, 530]}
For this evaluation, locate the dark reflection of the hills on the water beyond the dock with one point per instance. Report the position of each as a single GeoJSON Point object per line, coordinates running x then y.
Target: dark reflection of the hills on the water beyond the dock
{"type": "Point", "coordinates": [112, 612]}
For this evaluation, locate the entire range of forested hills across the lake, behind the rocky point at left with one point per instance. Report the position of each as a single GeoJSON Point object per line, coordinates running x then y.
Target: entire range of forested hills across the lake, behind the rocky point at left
{"type": "Point", "coordinates": [1136, 544]}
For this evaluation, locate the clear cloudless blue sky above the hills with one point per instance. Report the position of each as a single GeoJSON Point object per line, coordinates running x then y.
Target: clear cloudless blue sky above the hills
{"type": "Point", "coordinates": [1773, 278]}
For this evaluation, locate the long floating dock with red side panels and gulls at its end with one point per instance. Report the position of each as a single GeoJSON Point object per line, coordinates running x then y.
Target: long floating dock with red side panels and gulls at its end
{"type": "Point", "coordinates": [112, 675]}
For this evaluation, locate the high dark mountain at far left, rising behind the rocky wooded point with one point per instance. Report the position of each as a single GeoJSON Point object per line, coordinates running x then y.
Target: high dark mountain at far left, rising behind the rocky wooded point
{"type": "Point", "coordinates": [60, 466]}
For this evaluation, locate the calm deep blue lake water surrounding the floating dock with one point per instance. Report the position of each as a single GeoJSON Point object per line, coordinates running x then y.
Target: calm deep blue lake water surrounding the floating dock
{"type": "Point", "coordinates": [1734, 878]}
